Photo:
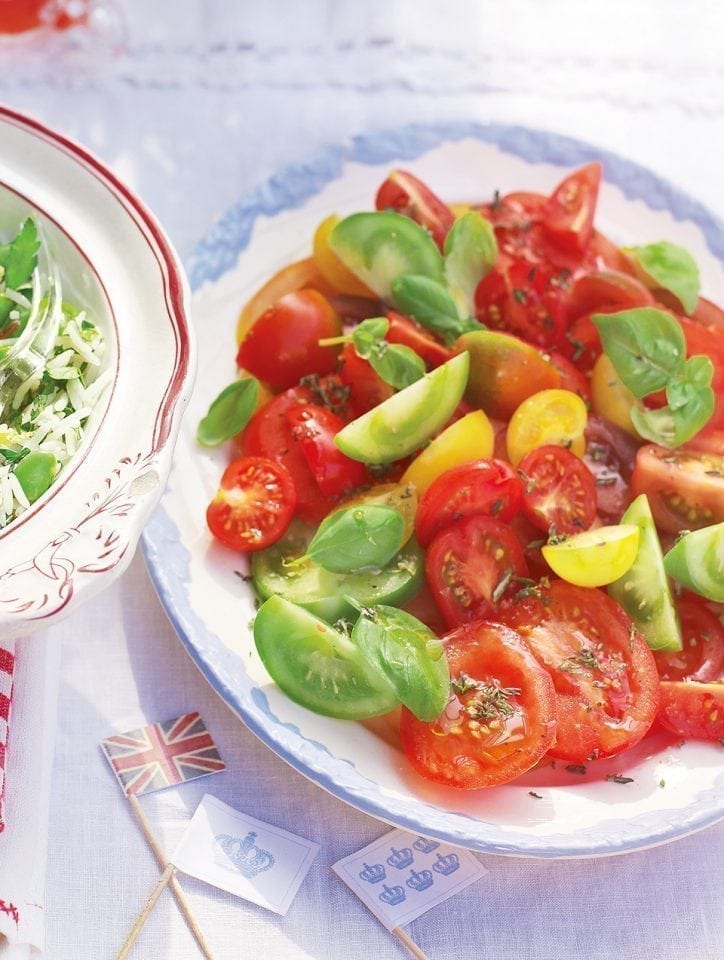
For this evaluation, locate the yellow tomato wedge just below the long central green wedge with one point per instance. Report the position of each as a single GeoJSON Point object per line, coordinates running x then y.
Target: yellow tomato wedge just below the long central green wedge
{"type": "Point", "coordinates": [470, 438]}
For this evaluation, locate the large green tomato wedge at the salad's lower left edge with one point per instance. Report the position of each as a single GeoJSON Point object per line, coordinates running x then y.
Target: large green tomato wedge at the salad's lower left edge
{"type": "Point", "coordinates": [317, 666]}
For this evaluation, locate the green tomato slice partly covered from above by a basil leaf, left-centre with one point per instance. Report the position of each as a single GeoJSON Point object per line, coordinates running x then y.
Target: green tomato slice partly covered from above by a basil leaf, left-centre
{"type": "Point", "coordinates": [324, 593]}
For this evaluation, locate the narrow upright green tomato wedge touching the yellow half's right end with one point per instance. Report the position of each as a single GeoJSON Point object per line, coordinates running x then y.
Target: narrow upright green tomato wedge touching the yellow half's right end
{"type": "Point", "coordinates": [644, 591]}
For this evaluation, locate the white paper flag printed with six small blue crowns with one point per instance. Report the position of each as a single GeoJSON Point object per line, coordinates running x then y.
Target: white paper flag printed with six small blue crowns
{"type": "Point", "coordinates": [402, 875]}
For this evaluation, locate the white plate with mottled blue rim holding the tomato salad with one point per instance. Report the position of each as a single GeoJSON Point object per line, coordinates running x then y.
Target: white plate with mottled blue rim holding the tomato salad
{"type": "Point", "coordinates": [675, 789]}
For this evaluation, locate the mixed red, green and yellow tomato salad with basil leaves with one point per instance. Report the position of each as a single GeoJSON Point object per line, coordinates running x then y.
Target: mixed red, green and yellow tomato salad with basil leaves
{"type": "Point", "coordinates": [477, 461]}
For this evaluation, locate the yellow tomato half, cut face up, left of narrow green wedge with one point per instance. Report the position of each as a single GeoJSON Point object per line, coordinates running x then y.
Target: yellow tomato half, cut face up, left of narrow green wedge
{"type": "Point", "coordinates": [596, 557]}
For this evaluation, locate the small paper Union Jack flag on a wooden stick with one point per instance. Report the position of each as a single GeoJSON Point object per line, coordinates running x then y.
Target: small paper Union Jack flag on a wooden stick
{"type": "Point", "coordinates": [162, 754]}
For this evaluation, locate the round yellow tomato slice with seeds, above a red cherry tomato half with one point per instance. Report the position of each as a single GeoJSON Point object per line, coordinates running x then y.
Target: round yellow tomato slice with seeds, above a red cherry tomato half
{"type": "Point", "coordinates": [549, 416]}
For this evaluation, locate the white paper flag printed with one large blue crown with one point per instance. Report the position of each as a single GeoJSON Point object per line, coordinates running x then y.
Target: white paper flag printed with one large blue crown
{"type": "Point", "coordinates": [244, 856]}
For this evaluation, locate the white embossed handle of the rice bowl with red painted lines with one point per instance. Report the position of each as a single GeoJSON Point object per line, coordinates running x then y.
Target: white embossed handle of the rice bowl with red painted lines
{"type": "Point", "coordinates": [101, 543]}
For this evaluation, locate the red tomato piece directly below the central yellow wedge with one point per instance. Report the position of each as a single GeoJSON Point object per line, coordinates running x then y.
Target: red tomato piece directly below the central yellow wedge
{"type": "Point", "coordinates": [488, 488]}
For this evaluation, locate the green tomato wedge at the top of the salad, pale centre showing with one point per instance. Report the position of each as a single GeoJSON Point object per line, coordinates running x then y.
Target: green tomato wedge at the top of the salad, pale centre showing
{"type": "Point", "coordinates": [382, 246]}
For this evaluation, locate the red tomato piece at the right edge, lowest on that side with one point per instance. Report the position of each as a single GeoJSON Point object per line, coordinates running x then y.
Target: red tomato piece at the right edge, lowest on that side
{"type": "Point", "coordinates": [692, 709]}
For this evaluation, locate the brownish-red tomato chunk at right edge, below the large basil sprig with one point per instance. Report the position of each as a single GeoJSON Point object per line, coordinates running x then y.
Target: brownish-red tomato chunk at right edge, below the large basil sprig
{"type": "Point", "coordinates": [685, 487]}
